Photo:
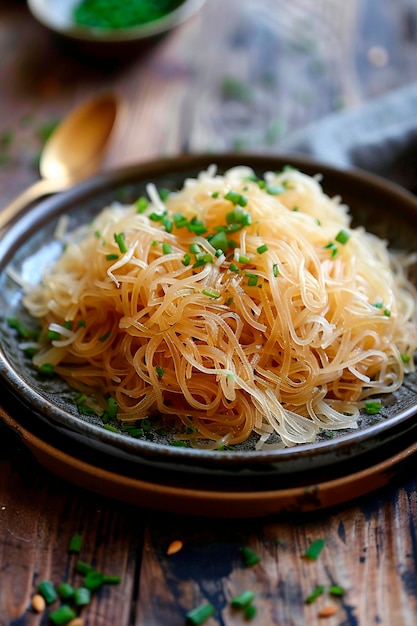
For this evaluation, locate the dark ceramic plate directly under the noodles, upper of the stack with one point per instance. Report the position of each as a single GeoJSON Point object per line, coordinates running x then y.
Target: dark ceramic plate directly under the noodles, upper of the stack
{"type": "Point", "coordinates": [48, 405]}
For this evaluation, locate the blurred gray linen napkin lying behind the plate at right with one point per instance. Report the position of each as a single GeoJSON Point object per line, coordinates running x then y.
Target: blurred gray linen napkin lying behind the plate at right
{"type": "Point", "coordinates": [379, 136]}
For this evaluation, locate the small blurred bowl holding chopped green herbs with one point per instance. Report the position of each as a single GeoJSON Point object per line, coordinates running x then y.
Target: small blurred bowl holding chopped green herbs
{"type": "Point", "coordinates": [56, 16]}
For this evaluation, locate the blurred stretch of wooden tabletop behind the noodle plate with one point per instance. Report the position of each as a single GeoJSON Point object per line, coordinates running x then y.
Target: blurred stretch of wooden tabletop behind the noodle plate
{"type": "Point", "coordinates": [239, 75]}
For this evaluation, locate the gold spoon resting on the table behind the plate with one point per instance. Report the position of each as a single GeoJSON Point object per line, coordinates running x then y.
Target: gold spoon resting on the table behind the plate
{"type": "Point", "coordinates": [73, 152]}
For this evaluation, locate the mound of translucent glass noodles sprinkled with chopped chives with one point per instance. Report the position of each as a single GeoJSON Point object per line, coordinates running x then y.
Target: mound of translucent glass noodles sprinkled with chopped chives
{"type": "Point", "coordinates": [240, 305]}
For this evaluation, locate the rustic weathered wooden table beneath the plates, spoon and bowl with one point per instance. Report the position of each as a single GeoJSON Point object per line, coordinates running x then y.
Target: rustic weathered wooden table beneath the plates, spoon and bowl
{"type": "Point", "coordinates": [240, 75]}
